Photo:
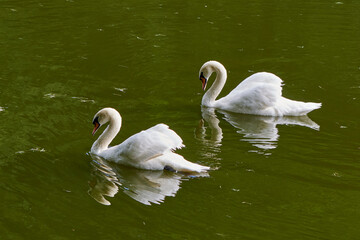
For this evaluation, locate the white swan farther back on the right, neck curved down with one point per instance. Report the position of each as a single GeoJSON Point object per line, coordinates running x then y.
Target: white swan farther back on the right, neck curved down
{"type": "Point", "coordinates": [259, 94]}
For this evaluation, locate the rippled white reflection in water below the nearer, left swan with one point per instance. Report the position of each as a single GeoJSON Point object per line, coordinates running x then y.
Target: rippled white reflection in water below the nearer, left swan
{"type": "Point", "coordinates": [144, 186]}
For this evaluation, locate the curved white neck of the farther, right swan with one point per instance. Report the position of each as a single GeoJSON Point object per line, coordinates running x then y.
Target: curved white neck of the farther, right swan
{"type": "Point", "coordinates": [210, 96]}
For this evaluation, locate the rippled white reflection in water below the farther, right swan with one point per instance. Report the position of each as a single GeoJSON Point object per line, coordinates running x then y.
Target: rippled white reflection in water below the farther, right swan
{"type": "Point", "coordinates": [260, 131]}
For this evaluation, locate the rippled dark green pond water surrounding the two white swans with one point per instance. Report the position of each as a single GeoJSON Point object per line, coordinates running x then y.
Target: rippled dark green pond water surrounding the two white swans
{"type": "Point", "coordinates": [62, 61]}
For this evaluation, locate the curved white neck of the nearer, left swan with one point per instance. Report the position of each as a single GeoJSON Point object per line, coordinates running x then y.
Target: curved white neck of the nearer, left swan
{"type": "Point", "coordinates": [104, 140]}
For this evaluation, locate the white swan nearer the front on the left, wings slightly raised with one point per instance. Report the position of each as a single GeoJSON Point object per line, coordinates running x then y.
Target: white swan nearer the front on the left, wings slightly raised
{"type": "Point", "coordinates": [151, 149]}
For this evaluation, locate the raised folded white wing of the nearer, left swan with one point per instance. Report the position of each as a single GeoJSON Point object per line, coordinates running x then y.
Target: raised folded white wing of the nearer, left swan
{"type": "Point", "coordinates": [149, 144]}
